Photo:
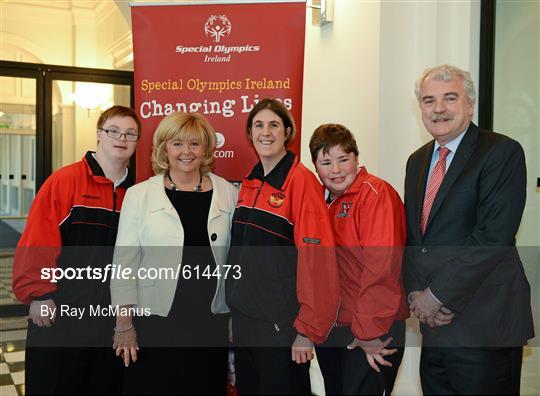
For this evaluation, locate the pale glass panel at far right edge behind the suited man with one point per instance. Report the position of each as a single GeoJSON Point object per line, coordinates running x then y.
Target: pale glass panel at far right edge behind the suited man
{"type": "Point", "coordinates": [516, 109]}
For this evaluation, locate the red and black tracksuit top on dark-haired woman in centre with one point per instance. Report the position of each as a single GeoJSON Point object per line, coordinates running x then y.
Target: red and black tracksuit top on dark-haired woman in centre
{"type": "Point", "coordinates": [282, 239]}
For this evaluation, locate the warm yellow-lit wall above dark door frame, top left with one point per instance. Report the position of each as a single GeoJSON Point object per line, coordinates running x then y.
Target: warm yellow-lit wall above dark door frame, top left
{"type": "Point", "coordinates": [64, 32]}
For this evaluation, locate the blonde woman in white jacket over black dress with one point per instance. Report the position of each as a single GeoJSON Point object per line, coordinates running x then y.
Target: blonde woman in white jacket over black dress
{"type": "Point", "coordinates": [172, 244]}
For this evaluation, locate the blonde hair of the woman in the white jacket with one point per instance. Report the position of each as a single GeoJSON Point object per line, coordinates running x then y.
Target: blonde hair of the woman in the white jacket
{"type": "Point", "coordinates": [183, 126]}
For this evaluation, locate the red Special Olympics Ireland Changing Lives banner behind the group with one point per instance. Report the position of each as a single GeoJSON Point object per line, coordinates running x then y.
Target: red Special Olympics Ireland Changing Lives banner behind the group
{"type": "Point", "coordinates": [218, 60]}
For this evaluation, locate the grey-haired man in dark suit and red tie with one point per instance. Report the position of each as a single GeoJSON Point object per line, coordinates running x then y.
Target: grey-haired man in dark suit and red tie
{"type": "Point", "coordinates": [464, 198]}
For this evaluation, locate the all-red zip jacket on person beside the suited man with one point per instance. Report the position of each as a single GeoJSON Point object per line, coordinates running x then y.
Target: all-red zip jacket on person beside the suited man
{"type": "Point", "coordinates": [369, 228]}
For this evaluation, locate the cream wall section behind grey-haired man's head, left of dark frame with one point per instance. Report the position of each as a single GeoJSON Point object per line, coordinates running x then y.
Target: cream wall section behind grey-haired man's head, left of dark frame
{"type": "Point", "coordinates": [415, 36]}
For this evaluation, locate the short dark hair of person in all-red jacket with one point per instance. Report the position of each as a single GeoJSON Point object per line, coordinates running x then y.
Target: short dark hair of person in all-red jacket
{"type": "Point", "coordinates": [327, 136]}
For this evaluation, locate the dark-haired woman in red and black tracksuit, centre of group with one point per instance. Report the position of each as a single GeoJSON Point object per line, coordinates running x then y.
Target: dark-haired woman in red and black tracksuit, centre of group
{"type": "Point", "coordinates": [287, 294]}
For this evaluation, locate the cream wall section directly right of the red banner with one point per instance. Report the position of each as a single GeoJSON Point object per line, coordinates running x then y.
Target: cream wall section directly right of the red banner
{"type": "Point", "coordinates": [341, 74]}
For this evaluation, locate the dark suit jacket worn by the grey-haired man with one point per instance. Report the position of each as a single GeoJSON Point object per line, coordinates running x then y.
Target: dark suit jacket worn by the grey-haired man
{"type": "Point", "coordinates": [468, 257]}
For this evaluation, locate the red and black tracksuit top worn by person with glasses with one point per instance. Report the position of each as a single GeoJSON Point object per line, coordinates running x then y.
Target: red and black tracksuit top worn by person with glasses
{"type": "Point", "coordinates": [72, 223]}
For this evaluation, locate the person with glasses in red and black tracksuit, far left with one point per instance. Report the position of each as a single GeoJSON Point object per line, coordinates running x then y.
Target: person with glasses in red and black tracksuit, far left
{"type": "Point", "coordinates": [72, 226]}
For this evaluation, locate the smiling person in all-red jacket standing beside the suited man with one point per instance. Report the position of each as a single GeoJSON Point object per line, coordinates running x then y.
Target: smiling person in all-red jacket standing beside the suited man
{"type": "Point", "coordinates": [363, 353]}
